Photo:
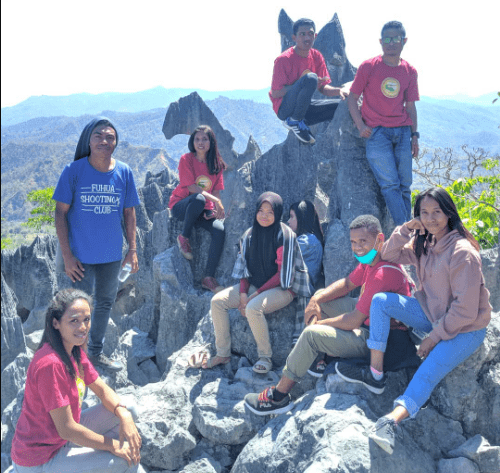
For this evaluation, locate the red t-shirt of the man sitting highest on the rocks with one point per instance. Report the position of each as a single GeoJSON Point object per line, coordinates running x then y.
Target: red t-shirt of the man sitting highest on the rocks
{"type": "Point", "coordinates": [289, 67]}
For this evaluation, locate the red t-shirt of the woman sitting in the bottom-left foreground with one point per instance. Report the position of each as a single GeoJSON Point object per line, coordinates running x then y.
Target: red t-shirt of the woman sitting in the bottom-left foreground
{"type": "Point", "coordinates": [48, 387]}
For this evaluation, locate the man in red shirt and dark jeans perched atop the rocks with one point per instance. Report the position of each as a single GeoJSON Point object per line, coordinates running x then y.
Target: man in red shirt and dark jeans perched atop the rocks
{"type": "Point", "coordinates": [298, 73]}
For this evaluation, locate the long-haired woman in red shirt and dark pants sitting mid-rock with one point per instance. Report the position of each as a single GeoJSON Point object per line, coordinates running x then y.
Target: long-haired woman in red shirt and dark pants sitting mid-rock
{"type": "Point", "coordinates": [196, 200]}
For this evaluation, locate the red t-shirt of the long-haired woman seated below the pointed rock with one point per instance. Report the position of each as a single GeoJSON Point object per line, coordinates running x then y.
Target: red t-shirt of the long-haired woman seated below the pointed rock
{"type": "Point", "coordinates": [191, 171]}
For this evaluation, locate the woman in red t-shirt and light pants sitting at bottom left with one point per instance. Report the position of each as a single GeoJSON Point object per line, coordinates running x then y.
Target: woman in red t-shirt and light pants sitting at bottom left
{"type": "Point", "coordinates": [52, 427]}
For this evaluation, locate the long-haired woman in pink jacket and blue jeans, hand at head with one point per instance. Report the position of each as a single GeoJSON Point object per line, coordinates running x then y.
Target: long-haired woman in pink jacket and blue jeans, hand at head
{"type": "Point", "coordinates": [451, 307]}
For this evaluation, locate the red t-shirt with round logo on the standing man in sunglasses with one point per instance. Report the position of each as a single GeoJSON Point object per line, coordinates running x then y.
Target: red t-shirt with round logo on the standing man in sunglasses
{"type": "Point", "coordinates": [385, 91]}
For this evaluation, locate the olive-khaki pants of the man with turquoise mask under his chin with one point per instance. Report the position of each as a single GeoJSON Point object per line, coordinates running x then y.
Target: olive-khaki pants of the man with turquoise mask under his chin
{"type": "Point", "coordinates": [317, 339]}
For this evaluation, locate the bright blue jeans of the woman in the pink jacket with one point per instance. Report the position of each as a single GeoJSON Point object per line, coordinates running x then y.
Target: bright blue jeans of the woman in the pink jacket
{"type": "Point", "coordinates": [442, 359]}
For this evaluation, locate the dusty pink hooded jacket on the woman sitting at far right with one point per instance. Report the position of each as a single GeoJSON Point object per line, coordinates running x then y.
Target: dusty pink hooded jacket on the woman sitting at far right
{"type": "Point", "coordinates": [451, 283]}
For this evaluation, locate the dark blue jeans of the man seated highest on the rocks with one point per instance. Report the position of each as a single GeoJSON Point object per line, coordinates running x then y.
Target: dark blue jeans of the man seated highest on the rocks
{"type": "Point", "coordinates": [298, 103]}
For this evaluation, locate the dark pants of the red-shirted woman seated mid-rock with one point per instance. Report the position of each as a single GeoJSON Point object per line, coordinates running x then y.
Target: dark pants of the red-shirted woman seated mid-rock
{"type": "Point", "coordinates": [191, 211]}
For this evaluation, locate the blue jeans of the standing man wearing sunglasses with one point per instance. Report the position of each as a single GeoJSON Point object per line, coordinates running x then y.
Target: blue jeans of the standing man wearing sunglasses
{"type": "Point", "coordinates": [388, 150]}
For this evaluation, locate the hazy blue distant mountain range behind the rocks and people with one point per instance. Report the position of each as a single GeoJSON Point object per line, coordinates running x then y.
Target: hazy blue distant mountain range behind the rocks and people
{"type": "Point", "coordinates": [43, 131]}
